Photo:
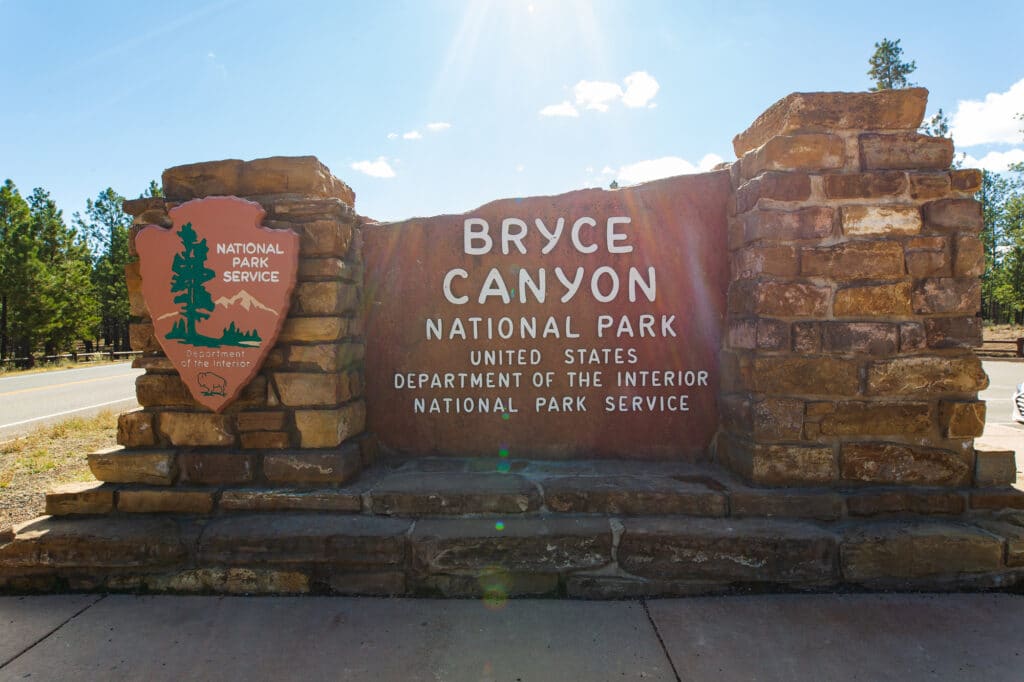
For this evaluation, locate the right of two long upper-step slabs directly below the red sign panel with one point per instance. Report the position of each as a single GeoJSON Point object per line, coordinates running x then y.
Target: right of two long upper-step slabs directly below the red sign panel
{"type": "Point", "coordinates": [632, 496]}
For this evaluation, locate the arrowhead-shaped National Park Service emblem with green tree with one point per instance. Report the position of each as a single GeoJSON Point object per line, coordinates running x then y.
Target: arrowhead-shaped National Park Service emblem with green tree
{"type": "Point", "coordinates": [218, 286]}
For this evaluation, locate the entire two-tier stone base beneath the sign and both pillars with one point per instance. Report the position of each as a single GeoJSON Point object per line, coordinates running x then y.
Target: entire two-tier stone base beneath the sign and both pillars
{"type": "Point", "coordinates": [496, 529]}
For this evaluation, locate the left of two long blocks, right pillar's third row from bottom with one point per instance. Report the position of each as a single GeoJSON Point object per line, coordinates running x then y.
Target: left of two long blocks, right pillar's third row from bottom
{"type": "Point", "coordinates": [799, 376]}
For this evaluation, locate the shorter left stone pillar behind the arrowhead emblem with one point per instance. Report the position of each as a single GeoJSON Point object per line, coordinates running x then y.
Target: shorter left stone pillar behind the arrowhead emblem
{"type": "Point", "coordinates": [288, 424]}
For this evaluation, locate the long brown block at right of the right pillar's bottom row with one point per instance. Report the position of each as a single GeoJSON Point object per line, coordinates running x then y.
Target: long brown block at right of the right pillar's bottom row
{"type": "Point", "coordinates": [899, 464]}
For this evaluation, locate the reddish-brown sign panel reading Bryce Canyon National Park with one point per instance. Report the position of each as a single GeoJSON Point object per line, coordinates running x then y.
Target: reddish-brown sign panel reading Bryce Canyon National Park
{"type": "Point", "coordinates": [586, 325]}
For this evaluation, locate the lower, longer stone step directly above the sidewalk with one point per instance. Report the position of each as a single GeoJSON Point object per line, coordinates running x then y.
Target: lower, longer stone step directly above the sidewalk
{"type": "Point", "coordinates": [559, 555]}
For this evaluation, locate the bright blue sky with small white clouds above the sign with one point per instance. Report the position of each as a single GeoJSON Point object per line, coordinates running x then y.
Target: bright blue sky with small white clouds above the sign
{"type": "Point", "coordinates": [438, 107]}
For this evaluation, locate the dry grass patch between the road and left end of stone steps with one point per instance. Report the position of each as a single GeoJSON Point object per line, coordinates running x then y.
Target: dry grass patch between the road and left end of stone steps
{"type": "Point", "coordinates": [47, 457]}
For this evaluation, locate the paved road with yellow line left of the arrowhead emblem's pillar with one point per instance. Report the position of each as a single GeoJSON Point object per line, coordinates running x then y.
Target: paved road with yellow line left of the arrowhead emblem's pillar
{"type": "Point", "coordinates": [28, 401]}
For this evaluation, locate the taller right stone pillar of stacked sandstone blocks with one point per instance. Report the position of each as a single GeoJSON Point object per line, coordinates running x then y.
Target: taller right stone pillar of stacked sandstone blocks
{"type": "Point", "coordinates": [856, 265]}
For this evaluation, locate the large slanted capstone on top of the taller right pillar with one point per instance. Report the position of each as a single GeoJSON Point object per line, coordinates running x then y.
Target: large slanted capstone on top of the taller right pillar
{"type": "Point", "coordinates": [814, 112]}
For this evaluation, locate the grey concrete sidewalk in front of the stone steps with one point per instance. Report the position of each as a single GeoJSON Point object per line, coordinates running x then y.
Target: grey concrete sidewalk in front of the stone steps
{"type": "Point", "coordinates": [769, 637]}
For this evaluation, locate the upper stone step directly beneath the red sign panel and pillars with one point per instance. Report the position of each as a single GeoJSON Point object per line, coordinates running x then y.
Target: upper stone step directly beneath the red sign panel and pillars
{"type": "Point", "coordinates": [402, 493]}
